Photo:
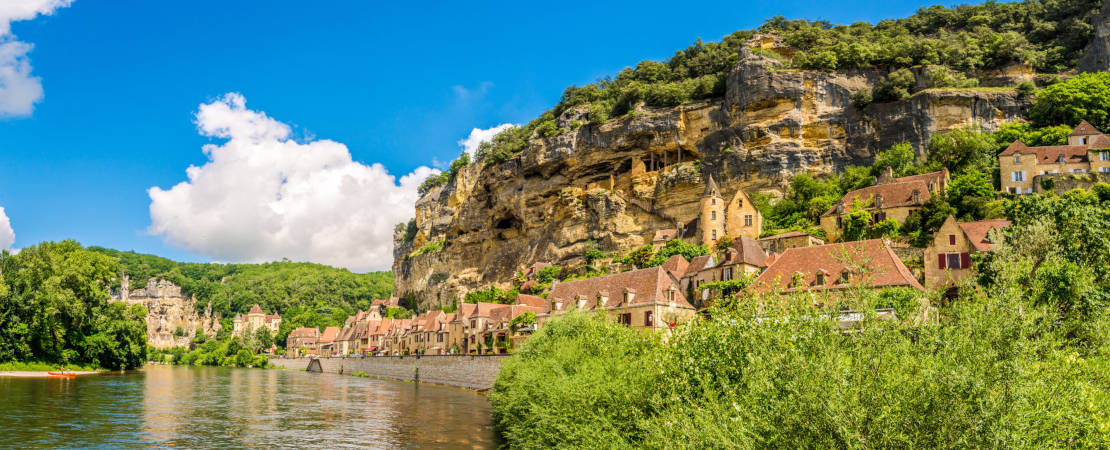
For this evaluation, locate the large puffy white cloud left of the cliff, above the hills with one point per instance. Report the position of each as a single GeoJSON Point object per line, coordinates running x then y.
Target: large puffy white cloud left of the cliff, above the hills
{"type": "Point", "coordinates": [263, 197]}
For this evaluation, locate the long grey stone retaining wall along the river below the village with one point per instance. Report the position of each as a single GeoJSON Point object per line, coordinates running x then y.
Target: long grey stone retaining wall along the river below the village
{"type": "Point", "coordinates": [462, 372]}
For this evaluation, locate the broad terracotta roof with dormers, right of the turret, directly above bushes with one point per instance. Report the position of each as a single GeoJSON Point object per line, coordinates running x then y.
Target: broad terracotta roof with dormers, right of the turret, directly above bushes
{"type": "Point", "coordinates": [885, 267]}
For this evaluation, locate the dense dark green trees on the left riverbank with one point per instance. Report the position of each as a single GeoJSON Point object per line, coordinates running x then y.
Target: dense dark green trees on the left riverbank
{"type": "Point", "coordinates": [55, 308]}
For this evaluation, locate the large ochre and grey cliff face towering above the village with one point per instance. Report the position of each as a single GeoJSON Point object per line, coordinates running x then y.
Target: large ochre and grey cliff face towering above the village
{"type": "Point", "coordinates": [613, 185]}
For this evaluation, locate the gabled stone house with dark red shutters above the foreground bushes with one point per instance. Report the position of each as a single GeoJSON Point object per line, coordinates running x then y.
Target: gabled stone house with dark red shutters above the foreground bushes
{"type": "Point", "coordinates": [948, 257]}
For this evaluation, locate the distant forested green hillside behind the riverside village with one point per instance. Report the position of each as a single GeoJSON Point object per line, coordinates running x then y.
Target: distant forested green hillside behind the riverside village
{"type": "Point", "coordinates": [307, 295]}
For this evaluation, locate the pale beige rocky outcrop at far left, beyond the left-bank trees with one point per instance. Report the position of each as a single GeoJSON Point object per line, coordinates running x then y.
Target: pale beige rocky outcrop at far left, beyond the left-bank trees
{"type": "Point", "coordinates": [167, 311]}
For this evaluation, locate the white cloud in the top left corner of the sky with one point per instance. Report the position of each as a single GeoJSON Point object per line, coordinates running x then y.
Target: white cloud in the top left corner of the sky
{"type": "Point", "coordinates": [19, 91]}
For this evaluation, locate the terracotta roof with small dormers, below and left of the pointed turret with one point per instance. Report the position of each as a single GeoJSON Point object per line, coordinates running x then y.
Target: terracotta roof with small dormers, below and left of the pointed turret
{"type": "Point", "coordinates": [649, 285]}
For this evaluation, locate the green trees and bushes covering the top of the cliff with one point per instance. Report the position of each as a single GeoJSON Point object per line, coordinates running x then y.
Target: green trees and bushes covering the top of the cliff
{"type": "Point", "coordinates": [958, 44]}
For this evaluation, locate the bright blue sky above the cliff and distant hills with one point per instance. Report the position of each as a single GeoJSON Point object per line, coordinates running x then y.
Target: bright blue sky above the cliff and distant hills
{"type": "Point", "coordinates": [398, 85]}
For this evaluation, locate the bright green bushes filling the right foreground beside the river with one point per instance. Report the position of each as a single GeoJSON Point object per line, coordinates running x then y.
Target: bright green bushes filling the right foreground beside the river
{"type": "Point", "coordinates": [1018, 361]}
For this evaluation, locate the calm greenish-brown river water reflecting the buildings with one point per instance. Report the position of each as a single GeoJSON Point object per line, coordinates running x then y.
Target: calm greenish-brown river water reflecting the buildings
{"type": "Point", "coordinates": [185, 407]}
